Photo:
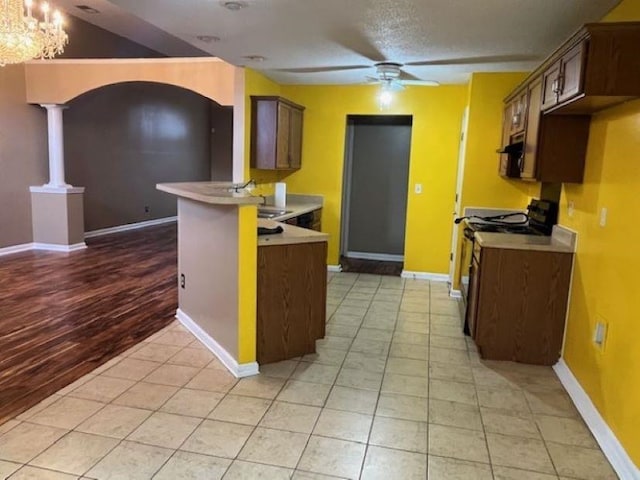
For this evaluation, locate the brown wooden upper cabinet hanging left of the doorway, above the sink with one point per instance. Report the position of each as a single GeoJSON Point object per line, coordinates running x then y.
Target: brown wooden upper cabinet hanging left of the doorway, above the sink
{"type": "Point", "coordinates": [276, 133]}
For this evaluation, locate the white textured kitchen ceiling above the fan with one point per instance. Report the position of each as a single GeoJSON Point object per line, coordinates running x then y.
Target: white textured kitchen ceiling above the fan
{"type": "Point", "coordinates": [318, 41]}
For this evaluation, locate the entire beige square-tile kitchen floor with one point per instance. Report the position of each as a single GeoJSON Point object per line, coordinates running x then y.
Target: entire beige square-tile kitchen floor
{"type": "Point", "coordinates": [395, 391]}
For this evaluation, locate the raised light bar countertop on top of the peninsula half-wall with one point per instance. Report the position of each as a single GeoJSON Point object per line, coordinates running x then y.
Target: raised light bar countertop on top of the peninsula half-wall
{"type": "Point", "coordinates": [214, 193]}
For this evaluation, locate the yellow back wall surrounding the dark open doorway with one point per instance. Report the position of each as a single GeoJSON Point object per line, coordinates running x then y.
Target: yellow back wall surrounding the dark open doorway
{"type": "Point", "coordinates": [437, 113]}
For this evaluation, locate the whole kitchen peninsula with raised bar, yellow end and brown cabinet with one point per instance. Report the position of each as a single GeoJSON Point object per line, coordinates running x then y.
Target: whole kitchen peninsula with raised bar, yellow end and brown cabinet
{"type": "Point", "coordinates": [232, 286]}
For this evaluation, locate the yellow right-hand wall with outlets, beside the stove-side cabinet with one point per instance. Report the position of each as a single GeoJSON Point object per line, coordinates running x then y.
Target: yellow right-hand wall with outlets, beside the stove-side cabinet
{"type": "Point", "coordinates": [605, 285]}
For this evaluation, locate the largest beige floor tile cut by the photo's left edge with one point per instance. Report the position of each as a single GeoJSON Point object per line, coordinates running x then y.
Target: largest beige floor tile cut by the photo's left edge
{"type": "Point", "coordinates": [27, 440]}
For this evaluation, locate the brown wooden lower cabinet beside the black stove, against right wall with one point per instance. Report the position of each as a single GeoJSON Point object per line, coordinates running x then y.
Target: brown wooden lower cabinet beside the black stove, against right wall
{"type": "Point", "coordinates": [518, 303]}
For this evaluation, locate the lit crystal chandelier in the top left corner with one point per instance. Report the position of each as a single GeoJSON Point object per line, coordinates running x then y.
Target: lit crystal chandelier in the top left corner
{"type": "Point", "coordinates": [24, 36]}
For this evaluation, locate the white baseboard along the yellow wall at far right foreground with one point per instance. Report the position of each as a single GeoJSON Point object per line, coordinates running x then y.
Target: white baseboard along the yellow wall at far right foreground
{"type": "Point", "coordinates": [610, 445]}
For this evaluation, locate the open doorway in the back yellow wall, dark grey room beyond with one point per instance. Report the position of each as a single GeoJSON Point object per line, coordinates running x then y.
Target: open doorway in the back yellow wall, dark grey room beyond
{"type": "Point", "coordinates": [375, 188]}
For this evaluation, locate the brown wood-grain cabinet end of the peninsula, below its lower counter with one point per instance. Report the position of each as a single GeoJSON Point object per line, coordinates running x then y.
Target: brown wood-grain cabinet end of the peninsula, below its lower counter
{"type": "Point", "coordinates": [291, 303]}
